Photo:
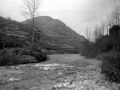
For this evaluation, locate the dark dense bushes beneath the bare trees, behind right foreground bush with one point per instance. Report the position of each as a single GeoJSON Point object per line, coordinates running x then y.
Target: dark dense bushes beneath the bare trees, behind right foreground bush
{"type": "Point", "coordinates": [103, 44]}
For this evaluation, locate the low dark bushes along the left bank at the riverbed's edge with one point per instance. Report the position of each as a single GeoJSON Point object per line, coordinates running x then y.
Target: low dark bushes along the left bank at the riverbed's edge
{"type": "Point", "coordinates": [14, 56]}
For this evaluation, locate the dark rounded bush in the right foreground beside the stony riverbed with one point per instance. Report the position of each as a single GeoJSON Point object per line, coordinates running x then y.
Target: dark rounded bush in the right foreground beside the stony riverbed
{"type": "Point", "coordinates": [111, 67]}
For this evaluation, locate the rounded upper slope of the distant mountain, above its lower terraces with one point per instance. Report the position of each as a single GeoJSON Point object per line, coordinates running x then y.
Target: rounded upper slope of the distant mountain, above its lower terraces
{"type": "Point", "coordinates": [55, 27]}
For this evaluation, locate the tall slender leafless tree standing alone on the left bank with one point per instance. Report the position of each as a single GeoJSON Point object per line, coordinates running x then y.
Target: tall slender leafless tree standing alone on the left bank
{"type": "Point", "coordinates": [30, 9]}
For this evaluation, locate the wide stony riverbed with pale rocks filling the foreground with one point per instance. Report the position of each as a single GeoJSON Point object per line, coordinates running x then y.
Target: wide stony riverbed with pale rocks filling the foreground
{"type": "Point", "coordinates": [60, 72]}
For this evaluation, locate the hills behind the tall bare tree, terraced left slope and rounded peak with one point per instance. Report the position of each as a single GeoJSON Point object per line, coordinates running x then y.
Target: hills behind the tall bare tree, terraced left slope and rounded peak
{"type": "Point", "coordinates": [51, 34]}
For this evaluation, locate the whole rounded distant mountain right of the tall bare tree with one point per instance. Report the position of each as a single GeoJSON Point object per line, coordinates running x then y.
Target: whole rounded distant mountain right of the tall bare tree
{"type": "Point", "coordinates": [57, 32]}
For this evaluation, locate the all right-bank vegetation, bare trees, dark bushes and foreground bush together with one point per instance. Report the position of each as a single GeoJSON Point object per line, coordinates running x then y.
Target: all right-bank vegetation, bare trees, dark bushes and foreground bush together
{"type": "Point", "coordinates": [104, 44]}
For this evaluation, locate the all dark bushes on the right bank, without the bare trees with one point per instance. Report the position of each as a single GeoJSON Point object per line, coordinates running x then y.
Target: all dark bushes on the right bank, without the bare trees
{"type": "Point", "coordinates": [106, 48]}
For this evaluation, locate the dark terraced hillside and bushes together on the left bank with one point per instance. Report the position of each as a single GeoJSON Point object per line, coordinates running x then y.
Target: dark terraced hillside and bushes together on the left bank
{"type": "Point", "coordinates": [15, 44]}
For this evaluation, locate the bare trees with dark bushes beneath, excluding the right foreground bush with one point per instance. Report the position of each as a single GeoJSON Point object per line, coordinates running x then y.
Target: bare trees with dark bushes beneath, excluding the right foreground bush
{"type": "Point", "coordinates": [99, 41]}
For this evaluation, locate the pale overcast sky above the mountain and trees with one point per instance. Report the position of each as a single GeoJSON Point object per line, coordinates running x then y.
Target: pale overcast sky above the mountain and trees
{"type": "Point", "coordinates": [77, 14]}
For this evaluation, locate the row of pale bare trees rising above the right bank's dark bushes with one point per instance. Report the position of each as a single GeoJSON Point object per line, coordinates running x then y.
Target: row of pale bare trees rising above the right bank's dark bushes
{"type": "Point", "coordinates": [106, 24]}
